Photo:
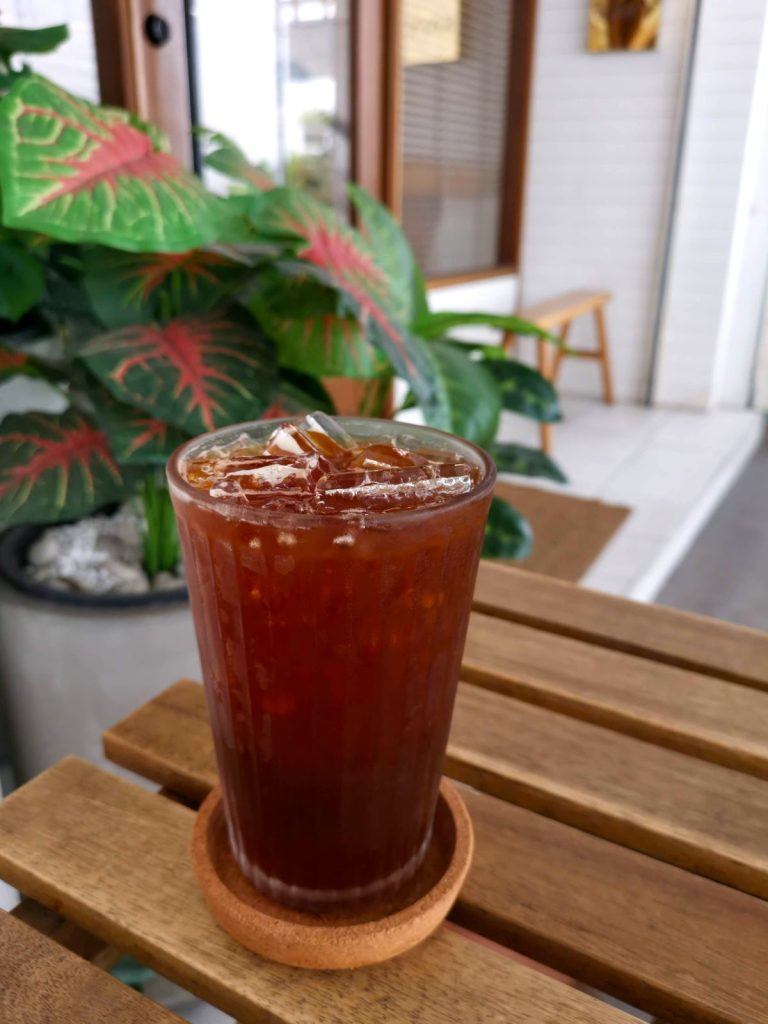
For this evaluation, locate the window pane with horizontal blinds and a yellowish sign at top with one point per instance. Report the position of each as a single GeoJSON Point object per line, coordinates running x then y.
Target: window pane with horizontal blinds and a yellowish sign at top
{"type": "Point", "coordinates": [454, 131]}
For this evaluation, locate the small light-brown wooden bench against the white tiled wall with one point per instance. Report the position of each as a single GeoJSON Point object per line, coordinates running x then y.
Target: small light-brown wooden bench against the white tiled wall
{"type": "Point", "coordinates": [557, 316]}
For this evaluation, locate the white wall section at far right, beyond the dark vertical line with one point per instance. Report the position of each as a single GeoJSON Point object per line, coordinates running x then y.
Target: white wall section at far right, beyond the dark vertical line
{"type": "Point", "coordinates": [719, 249]}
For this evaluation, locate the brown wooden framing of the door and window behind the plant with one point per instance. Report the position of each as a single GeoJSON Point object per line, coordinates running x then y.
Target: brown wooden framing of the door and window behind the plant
{"type": "Point", "coordinates": [155, 84]}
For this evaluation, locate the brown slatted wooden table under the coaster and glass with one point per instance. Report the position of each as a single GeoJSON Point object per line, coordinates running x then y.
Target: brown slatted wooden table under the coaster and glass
{"type": "Point", "coordinates": [615, 760]}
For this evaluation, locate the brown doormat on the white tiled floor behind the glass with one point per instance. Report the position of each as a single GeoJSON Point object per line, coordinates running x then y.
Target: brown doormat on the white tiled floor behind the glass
{"type": "Point", "coordinates": [569, 533]}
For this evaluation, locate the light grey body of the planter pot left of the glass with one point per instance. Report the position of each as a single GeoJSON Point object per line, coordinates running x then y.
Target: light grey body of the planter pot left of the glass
{"type": "Point", "coordinates": [69, 673]}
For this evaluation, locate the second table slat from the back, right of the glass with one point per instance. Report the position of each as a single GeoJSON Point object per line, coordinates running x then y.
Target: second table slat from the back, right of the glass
{"type": "Point", "coordinates": [686, 711]}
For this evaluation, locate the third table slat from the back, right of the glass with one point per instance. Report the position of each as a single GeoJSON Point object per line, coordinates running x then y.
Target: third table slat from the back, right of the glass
{"type": "Point", "coordinates": [699, 816]}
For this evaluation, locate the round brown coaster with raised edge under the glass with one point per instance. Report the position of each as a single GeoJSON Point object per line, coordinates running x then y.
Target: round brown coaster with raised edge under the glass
{"type": "Point", "coordinates": [336, 940]}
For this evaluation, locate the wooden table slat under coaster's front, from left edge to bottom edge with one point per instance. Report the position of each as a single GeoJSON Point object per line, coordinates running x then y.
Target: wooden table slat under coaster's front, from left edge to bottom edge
{"type": "Point", "coordinates": [115, 860]}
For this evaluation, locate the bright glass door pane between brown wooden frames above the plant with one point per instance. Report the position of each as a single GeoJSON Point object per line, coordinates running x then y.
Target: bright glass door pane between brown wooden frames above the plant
{"type": "Point", "coordinates": [274, 76]}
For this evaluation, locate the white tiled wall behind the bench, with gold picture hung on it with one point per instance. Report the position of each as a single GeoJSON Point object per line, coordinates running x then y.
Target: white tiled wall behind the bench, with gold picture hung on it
{"type": "Point", "coordinates": [604, 130]}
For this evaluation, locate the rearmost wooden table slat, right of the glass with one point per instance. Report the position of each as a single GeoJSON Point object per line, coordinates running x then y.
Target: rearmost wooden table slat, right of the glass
{"type": "Point", "coordinates": [695, 643]}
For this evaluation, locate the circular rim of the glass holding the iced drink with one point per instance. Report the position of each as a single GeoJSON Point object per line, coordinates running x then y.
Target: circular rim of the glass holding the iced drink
{"type": "Point", "coordinates": [253, 514]}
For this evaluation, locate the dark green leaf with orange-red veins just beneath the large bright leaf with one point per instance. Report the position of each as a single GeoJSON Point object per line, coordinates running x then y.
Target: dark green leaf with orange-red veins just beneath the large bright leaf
{"type": "Point", "coordinates": [125, 288]}
